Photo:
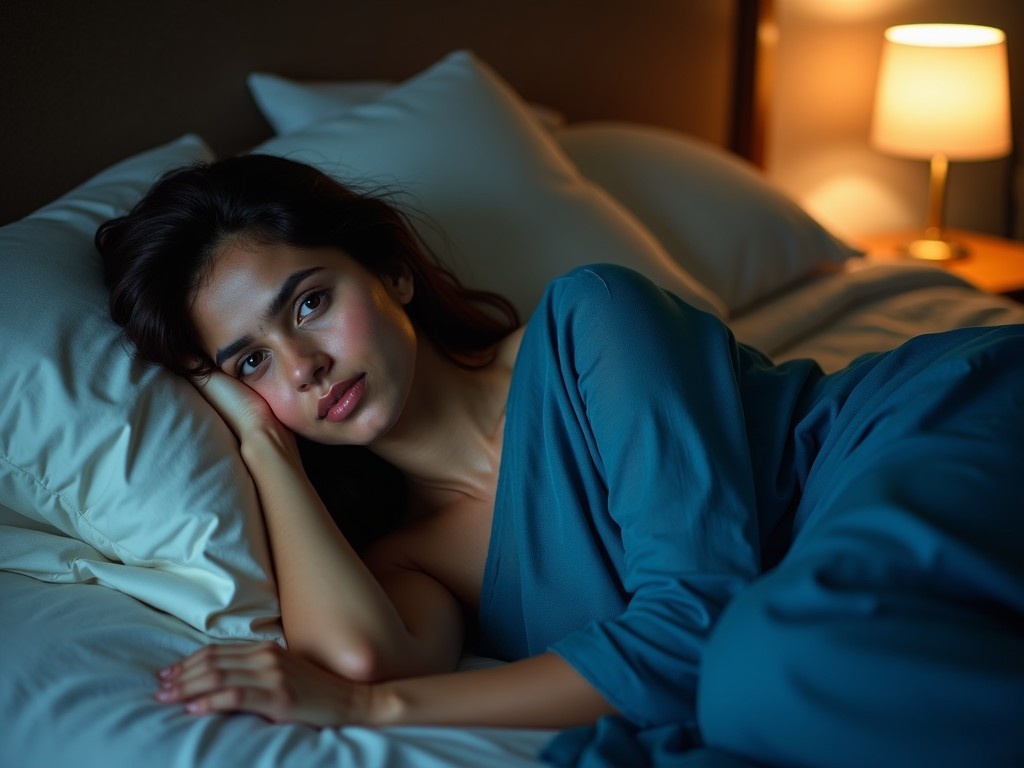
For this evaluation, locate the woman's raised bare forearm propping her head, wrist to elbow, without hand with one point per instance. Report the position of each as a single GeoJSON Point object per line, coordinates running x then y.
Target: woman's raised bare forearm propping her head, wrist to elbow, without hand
{"type": "Point", "coordinates": [333, 610]}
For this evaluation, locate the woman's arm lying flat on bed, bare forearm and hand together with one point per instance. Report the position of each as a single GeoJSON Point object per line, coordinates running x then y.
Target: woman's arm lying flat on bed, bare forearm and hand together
{"type": "Point", "coordinates": [539, 693]}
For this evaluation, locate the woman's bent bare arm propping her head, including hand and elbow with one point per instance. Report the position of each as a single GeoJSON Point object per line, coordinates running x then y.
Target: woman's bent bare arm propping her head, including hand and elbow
{"type": "Point", "coordinates": [333, 610]}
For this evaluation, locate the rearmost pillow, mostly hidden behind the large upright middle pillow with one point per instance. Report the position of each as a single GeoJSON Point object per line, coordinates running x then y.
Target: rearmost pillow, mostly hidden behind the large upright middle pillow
{"type": "Point", "coordinates": [290, 105]}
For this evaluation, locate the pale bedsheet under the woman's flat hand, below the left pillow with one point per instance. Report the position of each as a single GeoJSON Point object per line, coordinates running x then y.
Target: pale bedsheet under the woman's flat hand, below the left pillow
{"type": "Point", "coordinates": [77, 666]}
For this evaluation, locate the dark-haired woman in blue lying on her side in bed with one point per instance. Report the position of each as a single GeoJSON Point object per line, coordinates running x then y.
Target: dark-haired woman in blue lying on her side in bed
{"type": "Point", "coordinates": [645, 518]}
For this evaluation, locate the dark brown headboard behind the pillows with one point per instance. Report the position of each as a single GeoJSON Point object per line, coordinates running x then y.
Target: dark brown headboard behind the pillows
{"type": "Point", "coordinates": [86, 84]}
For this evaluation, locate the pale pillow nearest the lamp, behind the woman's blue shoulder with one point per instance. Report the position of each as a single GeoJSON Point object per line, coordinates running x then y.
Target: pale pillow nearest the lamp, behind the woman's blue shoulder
{"type": "Point", "coordinates": [714, 214]}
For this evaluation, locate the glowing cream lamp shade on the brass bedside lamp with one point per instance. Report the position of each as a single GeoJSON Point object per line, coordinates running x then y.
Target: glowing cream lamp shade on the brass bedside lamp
{"type": "Point", "coordinates": [944, 90]}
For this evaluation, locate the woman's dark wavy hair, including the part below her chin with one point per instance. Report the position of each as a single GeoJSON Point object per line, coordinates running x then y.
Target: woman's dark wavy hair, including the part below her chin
{"type": "Point", "coordinates": [156, 258]}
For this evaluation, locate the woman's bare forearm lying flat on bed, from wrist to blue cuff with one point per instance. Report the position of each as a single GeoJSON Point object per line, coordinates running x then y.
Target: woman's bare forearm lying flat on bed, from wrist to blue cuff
{"type": "Point", "coordinates": [540, 693]}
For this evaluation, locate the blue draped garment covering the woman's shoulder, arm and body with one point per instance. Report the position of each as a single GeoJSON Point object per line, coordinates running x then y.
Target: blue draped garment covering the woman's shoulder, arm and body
{"type": "Point", "coordinates": [762, 563]}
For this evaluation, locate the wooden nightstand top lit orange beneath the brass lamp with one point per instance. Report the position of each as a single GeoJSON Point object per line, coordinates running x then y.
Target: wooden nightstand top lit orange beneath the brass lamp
{"type": "Point", "coordinates": [994, 265]}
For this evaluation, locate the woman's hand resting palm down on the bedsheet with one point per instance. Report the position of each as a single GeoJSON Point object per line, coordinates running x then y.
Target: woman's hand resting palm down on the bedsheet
{"type": "Point", "coordinates": [267, 680]}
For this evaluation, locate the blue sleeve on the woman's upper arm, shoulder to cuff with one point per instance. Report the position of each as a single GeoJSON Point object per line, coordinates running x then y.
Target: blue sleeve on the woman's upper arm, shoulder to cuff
{"type": "Point", "coordinates": [657, 382]}
